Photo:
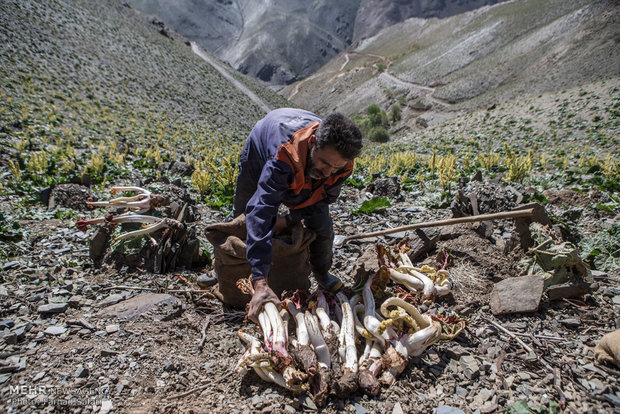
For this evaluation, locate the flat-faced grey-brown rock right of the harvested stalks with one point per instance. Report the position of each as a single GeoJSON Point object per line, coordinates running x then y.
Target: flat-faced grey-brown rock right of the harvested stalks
{"type": "Point", "coordinates": [517, 295]}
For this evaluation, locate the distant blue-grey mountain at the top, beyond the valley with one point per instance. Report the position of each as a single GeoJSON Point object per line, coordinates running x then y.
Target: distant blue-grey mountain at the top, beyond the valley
{"type": "Point", "coordinates": [279, 41]}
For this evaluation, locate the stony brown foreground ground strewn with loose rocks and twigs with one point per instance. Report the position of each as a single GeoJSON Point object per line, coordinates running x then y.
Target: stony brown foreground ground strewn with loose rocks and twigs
{"type": "Point", "coordinates": [73, 341]}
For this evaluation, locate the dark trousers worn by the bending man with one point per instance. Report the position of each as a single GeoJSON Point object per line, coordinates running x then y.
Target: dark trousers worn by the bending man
{"type": "Point", "coordinates": [315, 218]}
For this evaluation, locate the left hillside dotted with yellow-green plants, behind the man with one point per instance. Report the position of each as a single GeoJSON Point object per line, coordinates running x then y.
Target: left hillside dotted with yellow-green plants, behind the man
{"type": "Point", "coordinates": [94, 89]}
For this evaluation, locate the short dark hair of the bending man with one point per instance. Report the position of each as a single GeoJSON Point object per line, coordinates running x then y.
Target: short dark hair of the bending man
{"type": "Point", "coordinates": [340, 132]}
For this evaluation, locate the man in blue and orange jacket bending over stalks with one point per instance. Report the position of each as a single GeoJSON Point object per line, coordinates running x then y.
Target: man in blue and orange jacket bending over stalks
{"type": "Point", "coordinates": [292, 157]}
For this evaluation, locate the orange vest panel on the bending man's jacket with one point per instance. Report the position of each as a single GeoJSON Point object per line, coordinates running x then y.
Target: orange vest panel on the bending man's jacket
{"type": "Point", "coordinates": [295, 154]}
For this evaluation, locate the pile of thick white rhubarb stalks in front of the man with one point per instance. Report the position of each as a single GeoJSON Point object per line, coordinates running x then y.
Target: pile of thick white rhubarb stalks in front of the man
{"type": "Point", "coordinates": [341, 344]}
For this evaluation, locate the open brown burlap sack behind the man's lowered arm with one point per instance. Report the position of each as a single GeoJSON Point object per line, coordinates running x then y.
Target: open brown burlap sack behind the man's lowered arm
{"type": "Point", "coordinates": [289, 271]}
